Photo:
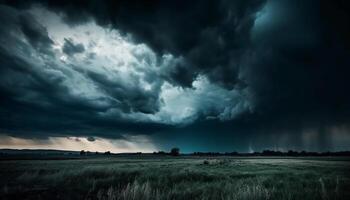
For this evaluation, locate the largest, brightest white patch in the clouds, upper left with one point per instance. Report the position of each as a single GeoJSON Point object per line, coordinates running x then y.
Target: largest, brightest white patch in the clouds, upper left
{"type": "Point", "coordinates": [107, 59]}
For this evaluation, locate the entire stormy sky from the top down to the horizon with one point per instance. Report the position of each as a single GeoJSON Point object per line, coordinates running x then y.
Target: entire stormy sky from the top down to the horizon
{"type": "Point", "coordinates": [221, 75]}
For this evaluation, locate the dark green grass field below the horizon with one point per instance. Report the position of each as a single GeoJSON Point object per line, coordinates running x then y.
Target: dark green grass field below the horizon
{"type": "Point", "coordinates": [149, 177]}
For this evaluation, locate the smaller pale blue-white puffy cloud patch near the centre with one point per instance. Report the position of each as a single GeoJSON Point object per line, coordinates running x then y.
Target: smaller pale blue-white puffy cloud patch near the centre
{"type": "Point", "coordinates": [184, 105]}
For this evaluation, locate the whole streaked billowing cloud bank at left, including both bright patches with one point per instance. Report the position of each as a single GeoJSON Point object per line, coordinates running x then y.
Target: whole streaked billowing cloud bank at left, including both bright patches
{"type": "Point", "coordinates": [113, 81]}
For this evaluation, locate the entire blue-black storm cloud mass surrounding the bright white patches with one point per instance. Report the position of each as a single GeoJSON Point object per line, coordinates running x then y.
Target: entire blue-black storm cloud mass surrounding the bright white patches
{"type": "Point", "coordinates": [291, 56]}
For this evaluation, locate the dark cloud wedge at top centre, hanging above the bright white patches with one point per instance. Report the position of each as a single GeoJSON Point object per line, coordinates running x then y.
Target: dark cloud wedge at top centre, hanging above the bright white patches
{"type": "Point", "coordinates": [212, 35]}
